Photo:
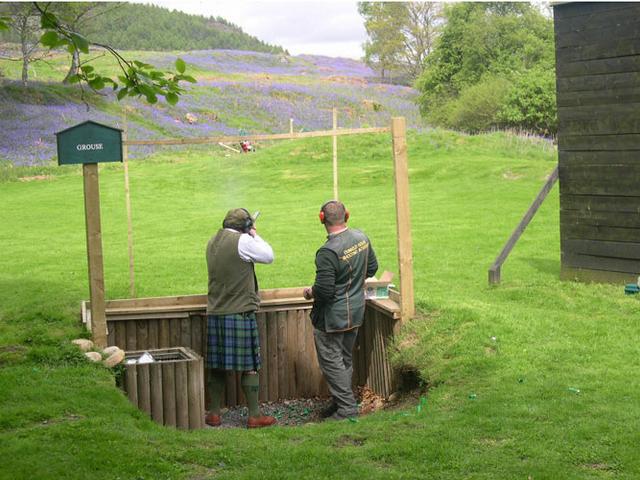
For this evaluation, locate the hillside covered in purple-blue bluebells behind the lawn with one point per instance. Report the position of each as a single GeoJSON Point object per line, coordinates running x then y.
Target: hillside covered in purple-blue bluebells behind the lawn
{"type": "Point", "coordinates": [237, 92]}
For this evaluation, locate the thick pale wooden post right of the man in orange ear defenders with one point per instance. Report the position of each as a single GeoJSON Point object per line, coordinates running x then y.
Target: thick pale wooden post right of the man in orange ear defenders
{"type": "Point", "coordinates": [403, 220]}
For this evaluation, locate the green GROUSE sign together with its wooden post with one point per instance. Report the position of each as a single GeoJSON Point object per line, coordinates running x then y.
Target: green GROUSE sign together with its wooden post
{"type": "Point", "coordinates": [90, 143]}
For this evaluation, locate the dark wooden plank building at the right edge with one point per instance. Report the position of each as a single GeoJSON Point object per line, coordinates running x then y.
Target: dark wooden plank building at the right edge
{"type": "Point", "coordinates": [598, 95]}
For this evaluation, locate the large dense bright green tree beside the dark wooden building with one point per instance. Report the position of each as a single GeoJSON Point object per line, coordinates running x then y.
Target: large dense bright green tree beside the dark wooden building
{"type": "Point", "coordinates": [495, 45]}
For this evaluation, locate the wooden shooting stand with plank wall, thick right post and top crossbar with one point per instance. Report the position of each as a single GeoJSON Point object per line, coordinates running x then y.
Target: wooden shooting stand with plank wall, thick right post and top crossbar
{"type": "Point", "coordinates": [290, 368]}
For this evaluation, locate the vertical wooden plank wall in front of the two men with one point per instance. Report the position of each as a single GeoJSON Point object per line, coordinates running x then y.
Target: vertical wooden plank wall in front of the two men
{"type": "Point", "coordinates": [289, 364]}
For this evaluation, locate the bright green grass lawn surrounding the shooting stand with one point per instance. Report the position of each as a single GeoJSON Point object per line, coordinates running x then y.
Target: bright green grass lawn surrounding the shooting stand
{"type": "Point", "coordinates": [535, 378]}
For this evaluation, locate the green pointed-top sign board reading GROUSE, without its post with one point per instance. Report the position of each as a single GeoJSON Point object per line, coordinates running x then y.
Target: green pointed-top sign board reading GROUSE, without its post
{"type": "Point", "coordinates": [89, 142]}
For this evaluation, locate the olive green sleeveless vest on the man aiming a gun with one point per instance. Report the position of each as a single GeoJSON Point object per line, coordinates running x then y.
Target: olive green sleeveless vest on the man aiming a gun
{"type": "Point", "coordinates": [233, 286]}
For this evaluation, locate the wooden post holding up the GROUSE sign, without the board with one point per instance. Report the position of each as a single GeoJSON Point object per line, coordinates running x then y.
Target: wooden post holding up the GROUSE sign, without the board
{"type": "Point", "coordinates": [94, 253]}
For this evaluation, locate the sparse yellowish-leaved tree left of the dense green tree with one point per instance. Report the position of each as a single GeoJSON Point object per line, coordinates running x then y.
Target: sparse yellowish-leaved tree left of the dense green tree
{"type": "Point", "coordinates": [401, 34]}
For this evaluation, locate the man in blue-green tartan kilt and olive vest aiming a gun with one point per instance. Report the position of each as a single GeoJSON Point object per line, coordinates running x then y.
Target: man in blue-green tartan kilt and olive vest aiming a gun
{"type": "Point", "coordinates": [233, 342]}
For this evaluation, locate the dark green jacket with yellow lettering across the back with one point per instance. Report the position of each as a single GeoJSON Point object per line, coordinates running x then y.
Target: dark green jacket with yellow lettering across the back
{"type": "Point", "coordinates": [342, 264]}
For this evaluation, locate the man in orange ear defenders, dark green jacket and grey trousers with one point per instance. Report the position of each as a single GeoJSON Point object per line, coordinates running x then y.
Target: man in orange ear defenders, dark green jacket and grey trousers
{"type": "Point", "coordinates": [342, 264]}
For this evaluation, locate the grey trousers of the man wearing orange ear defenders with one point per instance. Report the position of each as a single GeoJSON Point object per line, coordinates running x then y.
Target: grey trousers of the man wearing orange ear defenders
{"type": "Point", "coordinates": [335, 352]}
